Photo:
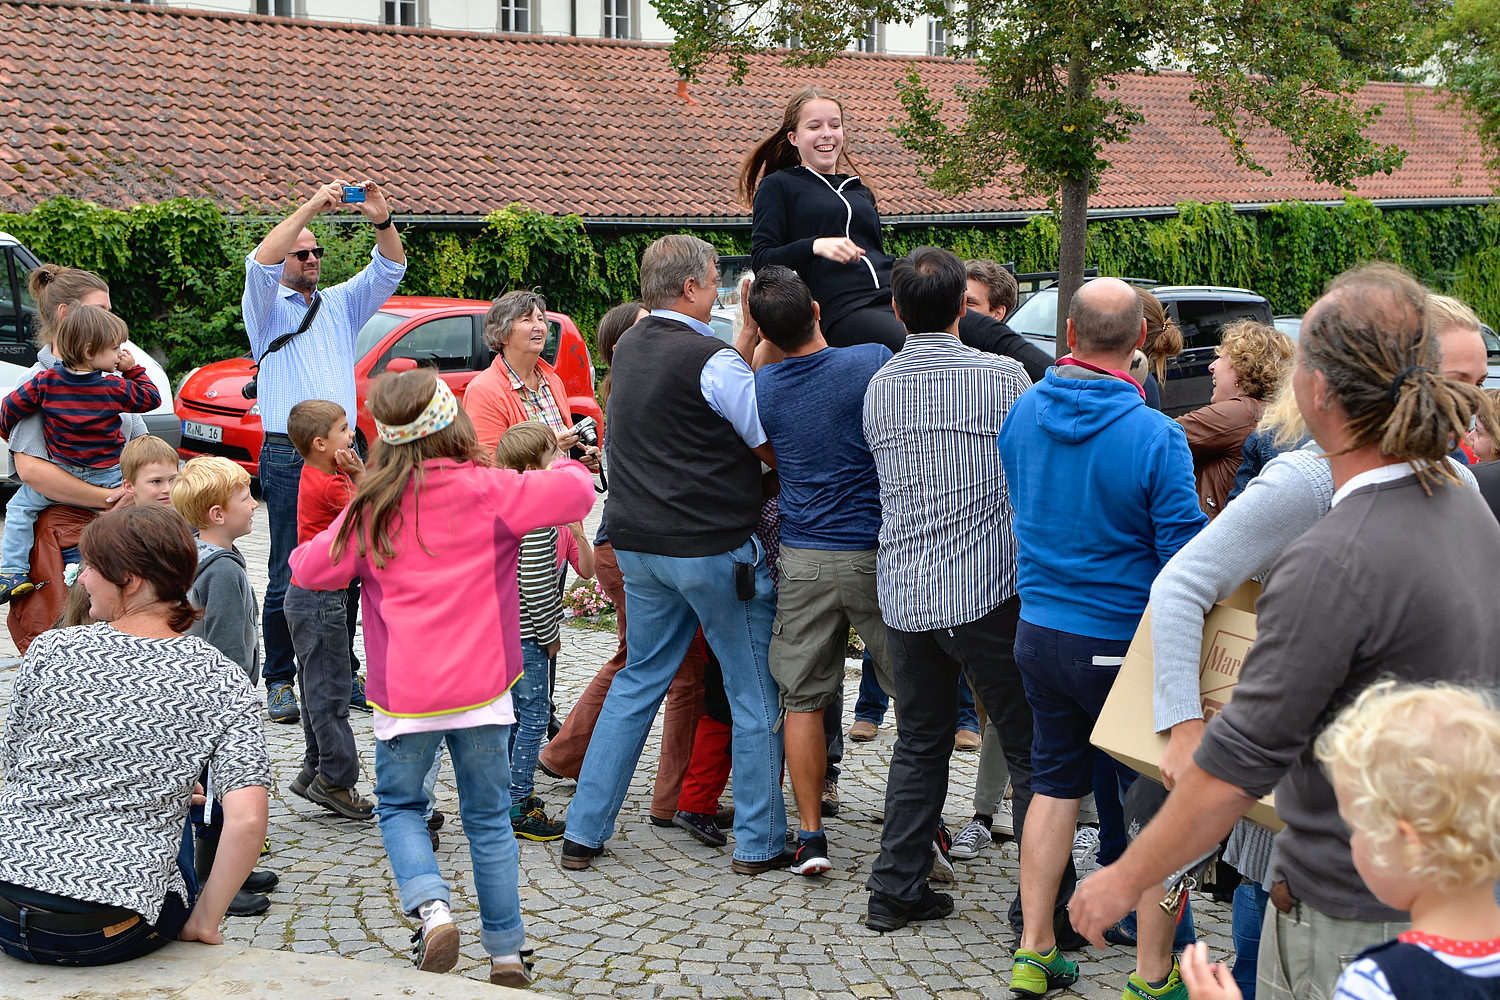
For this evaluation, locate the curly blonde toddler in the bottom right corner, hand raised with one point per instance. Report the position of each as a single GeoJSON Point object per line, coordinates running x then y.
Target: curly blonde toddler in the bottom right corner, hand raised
{"type": "Point", "coordinates": [1417, 771]}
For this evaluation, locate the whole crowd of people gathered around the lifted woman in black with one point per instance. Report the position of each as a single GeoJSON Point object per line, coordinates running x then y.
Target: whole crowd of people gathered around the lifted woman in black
{"type": "Point", "coordinates": [875, 452]}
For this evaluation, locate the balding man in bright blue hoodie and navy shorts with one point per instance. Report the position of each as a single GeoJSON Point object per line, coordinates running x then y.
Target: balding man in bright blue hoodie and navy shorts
{"type": "Point", "coordinates": [1105, 496]}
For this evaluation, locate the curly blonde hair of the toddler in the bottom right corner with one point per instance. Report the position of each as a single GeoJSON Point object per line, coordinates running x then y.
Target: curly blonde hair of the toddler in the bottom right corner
{"type": "Point", "coordinates": [1430, 756]}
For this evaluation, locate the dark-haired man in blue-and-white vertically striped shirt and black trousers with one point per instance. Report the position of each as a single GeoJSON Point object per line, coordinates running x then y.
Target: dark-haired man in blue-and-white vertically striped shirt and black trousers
{"type": "Point", "coordinates": [946, 570]}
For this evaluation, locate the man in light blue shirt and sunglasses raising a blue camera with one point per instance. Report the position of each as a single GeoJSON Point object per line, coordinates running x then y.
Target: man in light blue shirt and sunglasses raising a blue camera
{"type": "Point", "coordinates": [314, 362]}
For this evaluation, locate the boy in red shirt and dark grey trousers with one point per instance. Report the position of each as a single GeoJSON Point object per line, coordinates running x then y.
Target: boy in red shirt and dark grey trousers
{"type": "Point", "coordinates": [319, 620]}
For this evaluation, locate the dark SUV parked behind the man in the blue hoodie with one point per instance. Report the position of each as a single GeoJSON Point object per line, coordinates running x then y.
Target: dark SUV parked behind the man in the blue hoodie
{"type": "Point", "coordinates": [1201, 313]}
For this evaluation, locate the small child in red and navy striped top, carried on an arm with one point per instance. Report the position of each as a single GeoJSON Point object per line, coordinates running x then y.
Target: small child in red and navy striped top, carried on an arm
{"type": "Point", "coordinates": [80, 421]}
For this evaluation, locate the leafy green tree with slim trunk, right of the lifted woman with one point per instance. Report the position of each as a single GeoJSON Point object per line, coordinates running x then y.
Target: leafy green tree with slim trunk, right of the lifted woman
{"type": "Point", "coordinates": [1045, 106]}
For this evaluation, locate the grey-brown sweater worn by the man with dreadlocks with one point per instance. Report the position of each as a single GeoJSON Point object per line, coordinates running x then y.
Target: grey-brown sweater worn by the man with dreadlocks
{"type": "Point", "coordinates": [1381, 588]}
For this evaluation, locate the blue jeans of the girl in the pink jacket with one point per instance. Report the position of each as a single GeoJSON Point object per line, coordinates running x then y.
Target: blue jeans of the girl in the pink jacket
{"type": "Point", "coordinates": [482, 773]}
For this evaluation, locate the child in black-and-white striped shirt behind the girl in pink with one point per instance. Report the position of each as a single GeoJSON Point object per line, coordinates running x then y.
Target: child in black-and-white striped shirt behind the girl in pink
{"type": "Point", "coordinates": [524, 448]}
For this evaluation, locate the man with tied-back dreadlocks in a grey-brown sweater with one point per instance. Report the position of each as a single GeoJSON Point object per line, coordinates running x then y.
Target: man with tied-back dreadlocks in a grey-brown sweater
{"type": "Point", "coordinates": [1357, 597]}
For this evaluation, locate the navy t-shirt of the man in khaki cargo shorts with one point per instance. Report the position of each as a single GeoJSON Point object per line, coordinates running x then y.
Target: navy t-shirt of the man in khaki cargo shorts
{"type": "Point", "coordinates": [812, 410]}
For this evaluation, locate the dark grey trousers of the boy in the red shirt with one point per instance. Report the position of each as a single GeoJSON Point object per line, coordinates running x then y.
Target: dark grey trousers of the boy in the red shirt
{"type": "Point", "coordinates": [317, 621]}
